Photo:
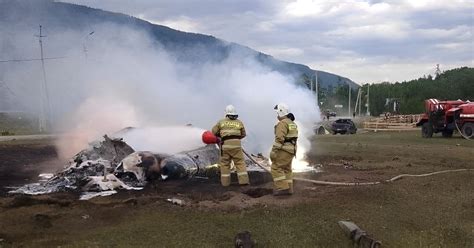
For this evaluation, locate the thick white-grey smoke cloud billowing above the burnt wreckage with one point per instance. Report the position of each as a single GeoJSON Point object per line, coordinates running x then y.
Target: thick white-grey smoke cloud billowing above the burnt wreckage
{"type": "Point", "coordinates": [119, 77]}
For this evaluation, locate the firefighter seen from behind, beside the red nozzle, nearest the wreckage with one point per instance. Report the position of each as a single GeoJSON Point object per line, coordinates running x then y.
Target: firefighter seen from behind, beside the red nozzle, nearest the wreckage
{"type": "Point", "coordinates": [231, 130]}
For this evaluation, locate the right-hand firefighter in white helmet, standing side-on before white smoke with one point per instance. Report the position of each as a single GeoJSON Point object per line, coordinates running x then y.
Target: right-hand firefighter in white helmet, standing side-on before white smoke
{"type": "Point", "coordinates": [283, 151]}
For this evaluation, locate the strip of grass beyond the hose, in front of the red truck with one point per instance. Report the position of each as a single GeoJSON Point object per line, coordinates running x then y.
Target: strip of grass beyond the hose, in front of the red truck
{"type": "Point", "coordinates": [405, 151]}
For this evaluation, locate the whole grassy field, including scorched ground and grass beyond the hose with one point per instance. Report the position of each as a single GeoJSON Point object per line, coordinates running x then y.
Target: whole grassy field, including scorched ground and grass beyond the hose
{"type": "Point", "coordinates": [436, 211]}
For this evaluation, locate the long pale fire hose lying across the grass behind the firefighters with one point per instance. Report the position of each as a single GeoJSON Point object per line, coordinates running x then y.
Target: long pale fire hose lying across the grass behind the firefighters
{"type": "Point", "coordinates": [393, 179]}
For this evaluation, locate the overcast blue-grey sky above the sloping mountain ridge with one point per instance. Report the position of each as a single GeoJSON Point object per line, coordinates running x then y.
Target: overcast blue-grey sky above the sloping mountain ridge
{"type": "Point", "coordinates": [367, 41]}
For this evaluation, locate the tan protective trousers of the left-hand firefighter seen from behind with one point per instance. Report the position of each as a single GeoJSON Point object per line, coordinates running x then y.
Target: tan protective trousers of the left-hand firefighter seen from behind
{"type": "Point", "coordinates": [233, 154]}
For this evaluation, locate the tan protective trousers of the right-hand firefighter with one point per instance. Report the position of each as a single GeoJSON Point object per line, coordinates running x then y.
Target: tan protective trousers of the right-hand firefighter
{"type": "Point", "coordinates": [281, 170]}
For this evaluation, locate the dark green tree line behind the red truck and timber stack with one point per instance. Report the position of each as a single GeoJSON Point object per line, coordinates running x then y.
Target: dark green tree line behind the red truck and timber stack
{"type": "Point", "coordinates": [410, 95]}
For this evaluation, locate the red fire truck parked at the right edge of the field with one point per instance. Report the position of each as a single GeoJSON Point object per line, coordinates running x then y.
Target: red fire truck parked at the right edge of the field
{"type": "Point", "coordinates": [447, 116]}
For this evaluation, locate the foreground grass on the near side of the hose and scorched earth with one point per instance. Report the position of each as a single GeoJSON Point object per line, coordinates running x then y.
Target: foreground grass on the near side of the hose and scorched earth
{"type": "Point", "coordinates": [428, 212]}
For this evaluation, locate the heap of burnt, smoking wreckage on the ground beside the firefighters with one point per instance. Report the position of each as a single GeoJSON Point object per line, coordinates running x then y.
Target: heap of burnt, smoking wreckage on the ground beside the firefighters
{"type": "Point", "coordinates": [111, 164]}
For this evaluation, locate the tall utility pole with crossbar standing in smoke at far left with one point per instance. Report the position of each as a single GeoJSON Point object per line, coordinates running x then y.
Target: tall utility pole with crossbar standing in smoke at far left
{"type": "Point", "coordinates": [44, 96]}
